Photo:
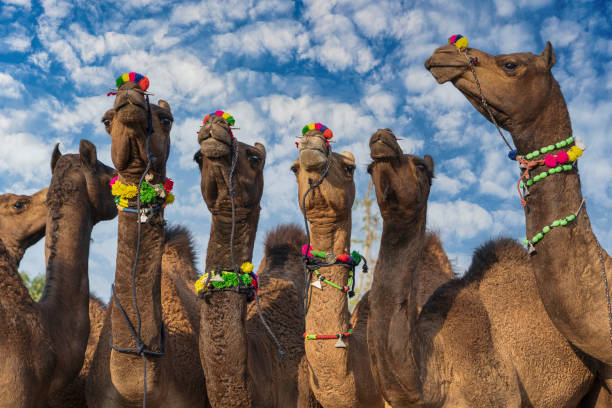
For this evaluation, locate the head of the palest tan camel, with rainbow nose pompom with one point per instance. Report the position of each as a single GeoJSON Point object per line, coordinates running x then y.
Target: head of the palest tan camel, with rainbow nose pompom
{"type": "Point", "coordinates": [333, 199]}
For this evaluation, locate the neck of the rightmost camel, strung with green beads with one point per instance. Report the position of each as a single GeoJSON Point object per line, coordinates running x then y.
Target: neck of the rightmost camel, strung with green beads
{"type": "Point", "coordinates": [567, 267]}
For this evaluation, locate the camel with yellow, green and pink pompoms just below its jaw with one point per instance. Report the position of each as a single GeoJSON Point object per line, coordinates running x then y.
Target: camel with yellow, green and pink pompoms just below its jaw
{"type": "Point", "coordinates": [117, 378]}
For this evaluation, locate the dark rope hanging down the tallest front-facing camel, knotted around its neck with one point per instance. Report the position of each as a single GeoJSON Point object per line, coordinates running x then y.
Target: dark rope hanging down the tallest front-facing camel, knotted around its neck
{"type": "Point", "coordinates": [141, 349]}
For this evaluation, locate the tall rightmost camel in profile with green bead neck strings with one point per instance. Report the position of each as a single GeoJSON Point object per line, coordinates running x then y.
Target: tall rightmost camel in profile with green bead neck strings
{"type": "Point", "coordinates": [526, 100]}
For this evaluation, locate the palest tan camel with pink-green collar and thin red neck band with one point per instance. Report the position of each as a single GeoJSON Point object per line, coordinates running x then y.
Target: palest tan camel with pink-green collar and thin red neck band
{"type": "Point", "coordinates": [339, 377]}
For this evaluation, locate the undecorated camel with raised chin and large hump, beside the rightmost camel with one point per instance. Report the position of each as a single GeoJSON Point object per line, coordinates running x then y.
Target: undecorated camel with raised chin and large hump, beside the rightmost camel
{"type": "Point", "coordinates": [482, 340]}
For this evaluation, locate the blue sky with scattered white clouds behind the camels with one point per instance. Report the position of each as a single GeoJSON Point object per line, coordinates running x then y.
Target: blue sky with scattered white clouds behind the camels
{"type": "Point", "coordinates": [277, 65]}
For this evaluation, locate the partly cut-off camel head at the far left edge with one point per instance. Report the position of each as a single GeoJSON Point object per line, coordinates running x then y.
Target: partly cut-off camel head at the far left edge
{"type": "Point", "coordinates": [22, 221]}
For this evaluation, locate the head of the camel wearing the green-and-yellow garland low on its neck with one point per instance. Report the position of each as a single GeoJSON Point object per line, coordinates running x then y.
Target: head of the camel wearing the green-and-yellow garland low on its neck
{"type": "Point", "coordinates": [215, 160]}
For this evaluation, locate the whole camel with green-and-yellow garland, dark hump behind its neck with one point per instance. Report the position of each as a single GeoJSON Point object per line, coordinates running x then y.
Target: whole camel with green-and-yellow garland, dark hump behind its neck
{"type": "Point", "coordinates": [240, 357]}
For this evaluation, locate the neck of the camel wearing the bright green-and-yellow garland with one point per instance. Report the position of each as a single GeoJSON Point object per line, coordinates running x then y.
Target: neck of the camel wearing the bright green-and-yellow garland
{"type": "Point", "coordinates": [223, 334]}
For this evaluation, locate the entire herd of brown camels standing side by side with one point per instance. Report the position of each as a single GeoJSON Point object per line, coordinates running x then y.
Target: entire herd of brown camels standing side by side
{"type": "Point", "coordinates": [518, 329]}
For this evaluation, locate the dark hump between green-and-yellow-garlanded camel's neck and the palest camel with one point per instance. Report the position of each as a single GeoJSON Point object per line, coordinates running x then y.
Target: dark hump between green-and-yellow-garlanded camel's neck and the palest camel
{"type": "Point", "coordinates": [283, 253]}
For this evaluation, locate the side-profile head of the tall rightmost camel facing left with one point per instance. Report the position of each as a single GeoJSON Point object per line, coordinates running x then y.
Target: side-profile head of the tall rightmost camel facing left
{"type": "Point", "coordinates": [517, 87]}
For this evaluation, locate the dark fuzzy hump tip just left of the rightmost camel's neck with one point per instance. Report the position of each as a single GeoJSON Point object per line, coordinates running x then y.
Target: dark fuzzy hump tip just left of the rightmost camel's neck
{"type": "Point", "coordinates": [505, 251]}
